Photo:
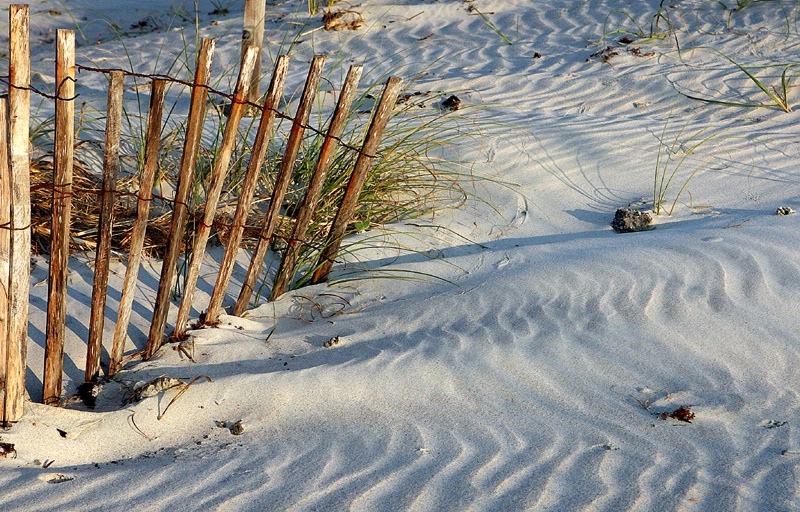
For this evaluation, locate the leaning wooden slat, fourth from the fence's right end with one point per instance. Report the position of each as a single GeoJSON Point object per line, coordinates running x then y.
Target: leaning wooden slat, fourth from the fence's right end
{"type": "Point", "coordinates": [249, 184]}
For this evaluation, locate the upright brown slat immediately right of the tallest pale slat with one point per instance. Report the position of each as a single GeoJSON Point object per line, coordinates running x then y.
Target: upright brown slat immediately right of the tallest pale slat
{"type": "Point", "coordinates": [62, 205]}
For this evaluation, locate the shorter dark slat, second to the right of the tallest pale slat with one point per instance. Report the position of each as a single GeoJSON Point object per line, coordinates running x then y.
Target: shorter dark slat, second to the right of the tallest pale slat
{"type": "Point", "coordinates": [106, 223]}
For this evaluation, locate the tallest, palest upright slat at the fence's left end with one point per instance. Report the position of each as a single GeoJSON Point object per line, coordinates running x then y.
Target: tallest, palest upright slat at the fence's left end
{"type": "Point", "coordinates": [20, 253]}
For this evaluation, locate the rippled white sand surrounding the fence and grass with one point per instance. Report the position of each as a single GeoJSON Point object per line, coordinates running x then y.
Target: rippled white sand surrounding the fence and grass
{"type": "Point", "coordinates": [520, 384]}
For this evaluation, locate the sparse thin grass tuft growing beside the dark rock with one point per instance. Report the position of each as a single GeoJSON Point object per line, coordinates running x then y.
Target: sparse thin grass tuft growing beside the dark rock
{"type": "Point", "coordinates": [673, 153]}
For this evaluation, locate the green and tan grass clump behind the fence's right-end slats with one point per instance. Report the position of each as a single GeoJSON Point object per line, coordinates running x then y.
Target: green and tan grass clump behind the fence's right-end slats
{"type": "Point", "coordinates": [417, 171]}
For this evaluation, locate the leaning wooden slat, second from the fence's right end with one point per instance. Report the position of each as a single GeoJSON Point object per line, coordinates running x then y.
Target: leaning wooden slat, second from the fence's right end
{"type": "Point", "coordinates": [308, 206]}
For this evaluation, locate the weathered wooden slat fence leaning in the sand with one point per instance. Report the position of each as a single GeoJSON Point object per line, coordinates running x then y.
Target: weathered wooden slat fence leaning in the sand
{"type": "Point", "coordinates": [15, 206]}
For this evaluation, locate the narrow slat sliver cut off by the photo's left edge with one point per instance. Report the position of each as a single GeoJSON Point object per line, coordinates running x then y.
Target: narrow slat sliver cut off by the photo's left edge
{"type": "Point", "coordinates": [5, 250]}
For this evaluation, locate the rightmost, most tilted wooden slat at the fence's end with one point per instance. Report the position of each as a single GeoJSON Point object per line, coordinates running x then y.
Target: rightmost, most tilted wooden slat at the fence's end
{"type": "Point", "coordinates": [356, 183]}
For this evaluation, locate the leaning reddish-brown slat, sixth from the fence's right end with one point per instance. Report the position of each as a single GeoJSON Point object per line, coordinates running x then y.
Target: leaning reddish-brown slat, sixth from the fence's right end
{"type": "Point", "coordinates": [180, 212]}
